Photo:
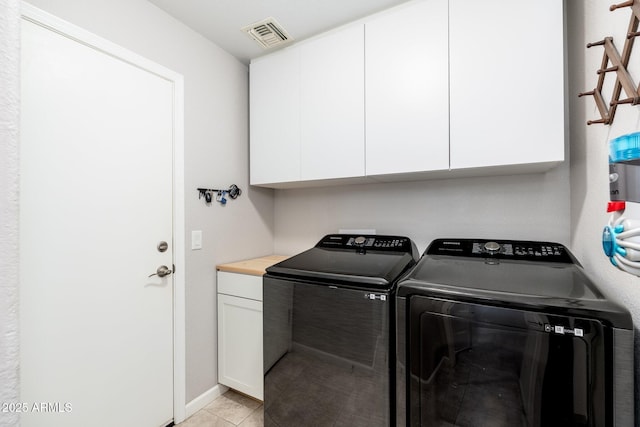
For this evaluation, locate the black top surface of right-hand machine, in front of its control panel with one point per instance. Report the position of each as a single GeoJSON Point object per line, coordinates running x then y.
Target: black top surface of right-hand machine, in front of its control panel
{"type": "Point", "coordinates": [512, 281]}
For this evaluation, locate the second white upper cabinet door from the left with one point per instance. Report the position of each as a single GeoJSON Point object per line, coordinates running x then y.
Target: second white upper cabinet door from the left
{"type": "Point", "coordinates": [332, 105]}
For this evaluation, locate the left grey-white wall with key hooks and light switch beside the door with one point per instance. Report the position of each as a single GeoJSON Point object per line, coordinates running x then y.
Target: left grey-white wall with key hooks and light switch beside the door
{"type": "Point", "coordinates": [216, 154]}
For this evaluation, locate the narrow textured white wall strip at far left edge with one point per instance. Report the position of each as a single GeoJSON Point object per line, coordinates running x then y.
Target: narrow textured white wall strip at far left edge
{"type": "Point", "coordinates": [9, 124]}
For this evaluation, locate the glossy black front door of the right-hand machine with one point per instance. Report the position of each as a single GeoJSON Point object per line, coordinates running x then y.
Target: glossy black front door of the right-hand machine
{"type": "Point", "coordinates": [478, 365]}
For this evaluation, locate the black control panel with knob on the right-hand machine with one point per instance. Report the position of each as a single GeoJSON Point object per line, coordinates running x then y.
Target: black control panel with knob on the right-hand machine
{"type": "Point", "coordinates": [501, 249]}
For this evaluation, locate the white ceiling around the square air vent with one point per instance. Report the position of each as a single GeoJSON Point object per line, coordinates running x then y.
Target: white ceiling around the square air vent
{"type": "Point", "coordinates": [221, 20]}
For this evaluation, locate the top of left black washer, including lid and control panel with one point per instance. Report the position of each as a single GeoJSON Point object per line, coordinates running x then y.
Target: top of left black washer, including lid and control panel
{"type": "Point", "coordinates": [374, 261]}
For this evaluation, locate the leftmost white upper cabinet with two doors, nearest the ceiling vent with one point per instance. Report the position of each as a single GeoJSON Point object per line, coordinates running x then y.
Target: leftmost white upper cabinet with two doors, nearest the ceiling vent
{"type": "Point", "coordinates": [307, 111]}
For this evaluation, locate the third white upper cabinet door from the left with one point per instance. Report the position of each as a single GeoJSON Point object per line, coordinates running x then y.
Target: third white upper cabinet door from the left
{"type": "Point", "coordinates": [407, 89]}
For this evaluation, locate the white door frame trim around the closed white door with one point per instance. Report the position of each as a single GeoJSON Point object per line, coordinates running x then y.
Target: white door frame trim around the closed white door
{"type": "Point", "coordinates": [53, 23]}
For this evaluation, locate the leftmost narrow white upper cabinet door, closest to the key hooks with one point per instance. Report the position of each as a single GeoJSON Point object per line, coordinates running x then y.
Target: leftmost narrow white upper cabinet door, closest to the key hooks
{"type": "Point", "coordinates": [275, 118]}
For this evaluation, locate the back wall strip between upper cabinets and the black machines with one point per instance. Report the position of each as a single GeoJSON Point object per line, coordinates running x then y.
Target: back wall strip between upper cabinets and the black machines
{"type": "Point", "coordinates": [534, 207]}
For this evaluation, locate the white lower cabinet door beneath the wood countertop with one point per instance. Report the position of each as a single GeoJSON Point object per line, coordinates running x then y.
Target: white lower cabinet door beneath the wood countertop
{"type": "Point", "coordinates": [240, 345]}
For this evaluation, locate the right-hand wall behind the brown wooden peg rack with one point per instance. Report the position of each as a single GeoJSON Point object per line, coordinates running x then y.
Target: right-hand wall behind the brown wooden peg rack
{"type": "Point", "coordinates": [591, 21]}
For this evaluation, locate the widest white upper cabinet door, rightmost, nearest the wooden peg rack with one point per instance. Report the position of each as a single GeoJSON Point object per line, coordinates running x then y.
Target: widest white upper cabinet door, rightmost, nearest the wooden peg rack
{"type": "Point", "coordinates": [506, 78]}
